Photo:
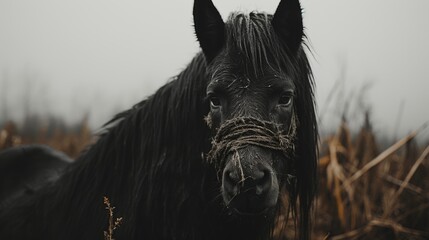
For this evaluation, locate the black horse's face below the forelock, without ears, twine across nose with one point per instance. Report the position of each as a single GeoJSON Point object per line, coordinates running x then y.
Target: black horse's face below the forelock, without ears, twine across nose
{"type": "Point", "coordinates": [254, 164]}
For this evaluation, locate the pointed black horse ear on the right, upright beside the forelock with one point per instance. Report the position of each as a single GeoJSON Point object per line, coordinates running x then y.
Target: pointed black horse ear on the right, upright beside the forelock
{"type": "Point", "coordinates": [287, 23]}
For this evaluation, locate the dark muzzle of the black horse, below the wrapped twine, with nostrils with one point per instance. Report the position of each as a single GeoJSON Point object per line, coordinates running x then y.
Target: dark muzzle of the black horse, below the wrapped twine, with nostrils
{"type": "Point", "coordinates": [249, 184]}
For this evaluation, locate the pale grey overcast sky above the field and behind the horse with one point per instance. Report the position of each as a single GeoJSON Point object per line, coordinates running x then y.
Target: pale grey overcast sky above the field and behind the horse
{"type": "Point", "coordinates": [102, 56]}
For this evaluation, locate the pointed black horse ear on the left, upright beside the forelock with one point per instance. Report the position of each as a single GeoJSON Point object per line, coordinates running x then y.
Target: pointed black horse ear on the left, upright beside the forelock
{"type": "Point", "coordinates": [209, 28]}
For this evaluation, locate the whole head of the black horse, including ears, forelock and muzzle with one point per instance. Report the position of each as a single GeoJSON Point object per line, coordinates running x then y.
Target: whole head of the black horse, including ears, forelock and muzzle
{"type": "Point", "coordinates": [251, 94]}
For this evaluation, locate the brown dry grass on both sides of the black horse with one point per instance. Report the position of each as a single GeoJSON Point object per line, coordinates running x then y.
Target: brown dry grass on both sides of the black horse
{"type": "Point", "coordinates": [364, 192]}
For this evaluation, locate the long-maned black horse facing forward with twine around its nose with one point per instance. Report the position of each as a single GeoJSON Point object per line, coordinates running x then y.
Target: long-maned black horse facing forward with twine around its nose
{"type": "Point", "coordinates": [208, 156]}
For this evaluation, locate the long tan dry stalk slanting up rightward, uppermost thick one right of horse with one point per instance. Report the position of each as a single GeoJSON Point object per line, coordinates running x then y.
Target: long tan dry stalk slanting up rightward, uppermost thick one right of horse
{"type": "Point", "coordinates": [383, 156]}
